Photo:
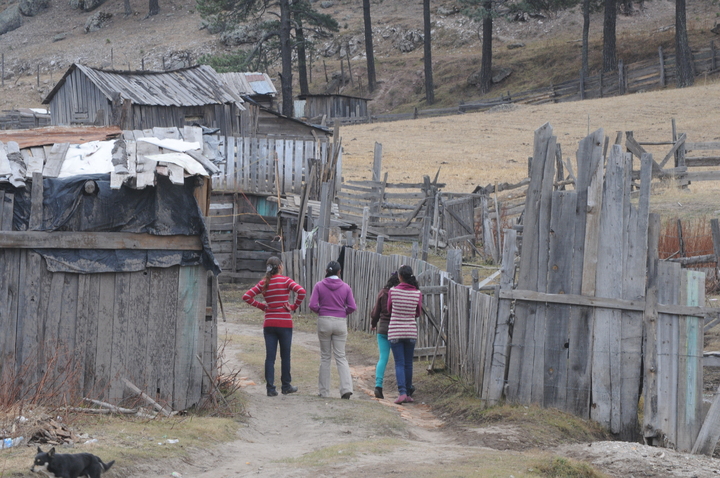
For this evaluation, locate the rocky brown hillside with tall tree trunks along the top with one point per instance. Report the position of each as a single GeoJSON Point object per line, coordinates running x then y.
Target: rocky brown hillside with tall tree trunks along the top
{"type": "Point", "coordinates": [476, 48]}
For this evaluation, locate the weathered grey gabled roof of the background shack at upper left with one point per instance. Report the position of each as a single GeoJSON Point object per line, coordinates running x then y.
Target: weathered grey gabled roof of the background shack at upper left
{"type": "Point", "coordinates": [194, 86]}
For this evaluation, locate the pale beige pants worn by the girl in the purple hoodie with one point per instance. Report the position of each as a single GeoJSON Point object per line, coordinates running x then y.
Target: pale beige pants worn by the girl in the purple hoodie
{"type": "Point", "coordinates": [332, 332]}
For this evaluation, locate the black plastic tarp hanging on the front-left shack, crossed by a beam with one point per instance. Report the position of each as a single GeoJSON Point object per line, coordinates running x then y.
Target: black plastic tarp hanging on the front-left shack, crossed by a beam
{"type": "Point", "coordinates": [163, 210]}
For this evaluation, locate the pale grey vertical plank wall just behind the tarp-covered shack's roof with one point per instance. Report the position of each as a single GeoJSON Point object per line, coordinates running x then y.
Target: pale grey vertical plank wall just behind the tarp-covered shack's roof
{"type": "Point", "coordinates": [258, 165]}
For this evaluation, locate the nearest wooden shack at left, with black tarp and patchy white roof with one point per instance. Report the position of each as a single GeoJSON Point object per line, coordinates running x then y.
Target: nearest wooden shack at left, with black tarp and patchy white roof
{"type": "Point", "coordinates": [101, 281]}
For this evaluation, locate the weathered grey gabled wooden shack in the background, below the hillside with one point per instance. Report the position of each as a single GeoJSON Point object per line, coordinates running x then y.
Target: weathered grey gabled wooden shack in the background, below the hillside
{"type": "Point", "coordinates": [139, 100]}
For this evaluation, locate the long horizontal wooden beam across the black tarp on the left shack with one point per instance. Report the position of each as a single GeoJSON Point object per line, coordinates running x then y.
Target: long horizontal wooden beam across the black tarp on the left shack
{"type": "Point", "coordinates": [96, 240]}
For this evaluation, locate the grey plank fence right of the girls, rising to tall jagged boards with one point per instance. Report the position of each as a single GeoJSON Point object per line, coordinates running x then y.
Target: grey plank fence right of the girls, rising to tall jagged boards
{"type": "Point", "coordinates": [593, 318]}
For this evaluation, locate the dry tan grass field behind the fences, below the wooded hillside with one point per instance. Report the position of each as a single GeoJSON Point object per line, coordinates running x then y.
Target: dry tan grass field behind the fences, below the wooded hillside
{"type": "Point", "coordinates": [482, 148]}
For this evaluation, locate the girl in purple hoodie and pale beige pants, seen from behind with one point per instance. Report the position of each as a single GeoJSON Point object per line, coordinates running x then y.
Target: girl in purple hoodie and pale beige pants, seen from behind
{"type": "Point", "coordinates": [333, 301]}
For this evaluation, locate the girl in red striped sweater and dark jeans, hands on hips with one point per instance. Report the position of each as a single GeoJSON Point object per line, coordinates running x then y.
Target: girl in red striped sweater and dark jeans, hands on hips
{"type": "Point", "coordinates": [277, 327]}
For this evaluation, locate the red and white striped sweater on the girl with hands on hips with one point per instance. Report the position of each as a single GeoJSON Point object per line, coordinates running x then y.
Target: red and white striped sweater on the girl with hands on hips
{"type": "Point", "coordinates": [276, 296]}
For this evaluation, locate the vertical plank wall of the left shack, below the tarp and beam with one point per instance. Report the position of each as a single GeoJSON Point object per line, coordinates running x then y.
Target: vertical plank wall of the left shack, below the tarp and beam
{"type": "Point", "coordinates": [84, 332]}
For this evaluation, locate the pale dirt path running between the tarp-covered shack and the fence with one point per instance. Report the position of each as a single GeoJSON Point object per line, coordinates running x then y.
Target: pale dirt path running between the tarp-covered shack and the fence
{"type": "Point", "coordinates": [288, 427]}
